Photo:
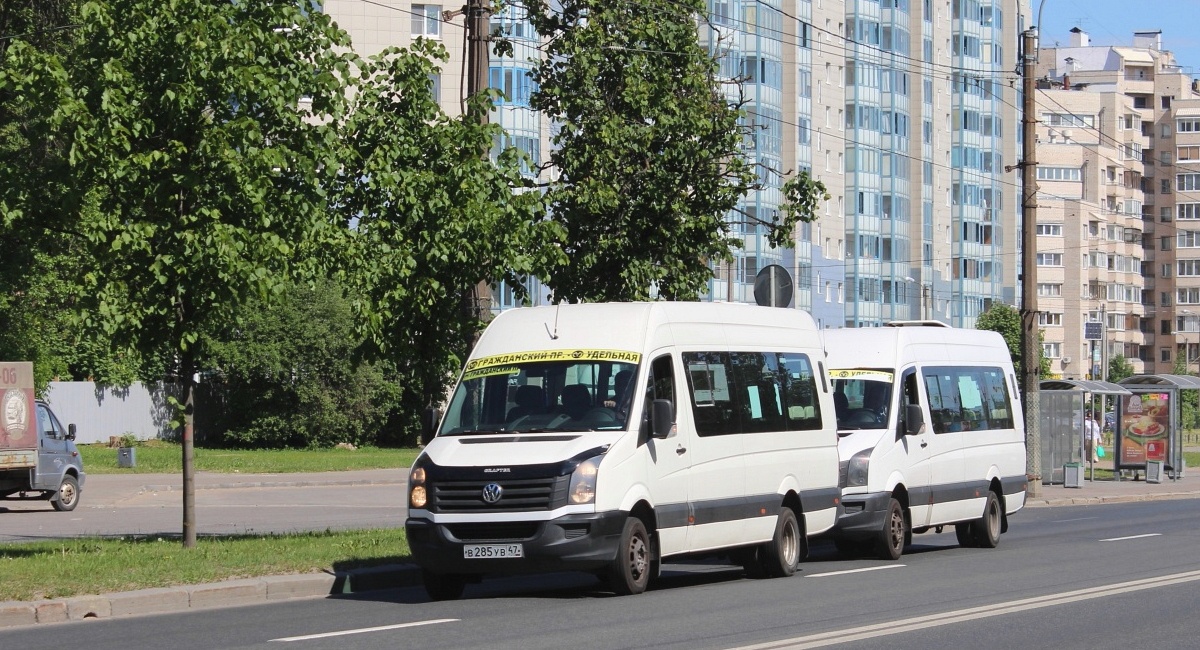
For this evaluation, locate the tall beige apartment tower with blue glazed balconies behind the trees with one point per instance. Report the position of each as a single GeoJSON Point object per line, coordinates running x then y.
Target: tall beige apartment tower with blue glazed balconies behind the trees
{"type": "Point", "coordinates": [907, 110]}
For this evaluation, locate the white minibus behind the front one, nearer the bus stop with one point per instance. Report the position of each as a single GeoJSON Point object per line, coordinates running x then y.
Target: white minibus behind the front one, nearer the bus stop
{"type": "Point", "coordinates": [932, 435]}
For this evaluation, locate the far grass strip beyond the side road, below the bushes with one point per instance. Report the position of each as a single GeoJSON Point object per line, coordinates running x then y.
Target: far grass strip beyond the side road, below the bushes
{"type": "Point", "coordinates": [158, 458]}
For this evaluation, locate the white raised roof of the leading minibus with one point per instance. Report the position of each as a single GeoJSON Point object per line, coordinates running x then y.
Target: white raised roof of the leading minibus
{"type": "Point", "coordinates": [641, 327]}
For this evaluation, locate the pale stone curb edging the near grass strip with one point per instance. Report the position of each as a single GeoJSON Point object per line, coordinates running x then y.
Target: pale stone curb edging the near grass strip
{"type": "Point", "coordinates": [205, 597]}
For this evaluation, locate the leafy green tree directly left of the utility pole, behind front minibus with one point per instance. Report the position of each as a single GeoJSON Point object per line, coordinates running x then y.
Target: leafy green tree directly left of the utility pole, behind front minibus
{"type": "Point", "coordinates": [430, 218]}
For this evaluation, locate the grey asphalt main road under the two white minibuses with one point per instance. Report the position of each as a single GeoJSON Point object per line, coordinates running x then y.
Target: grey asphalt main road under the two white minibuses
{"type": "Point", "coordinates": [1100, 576]}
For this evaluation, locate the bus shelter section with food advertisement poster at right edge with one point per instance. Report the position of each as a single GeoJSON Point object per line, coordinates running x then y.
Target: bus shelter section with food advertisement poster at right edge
{"type": "Point", "coordinates": [1149, 423]}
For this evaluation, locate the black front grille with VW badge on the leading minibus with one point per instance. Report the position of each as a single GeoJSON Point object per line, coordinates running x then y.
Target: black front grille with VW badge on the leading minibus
{"type": "Point", "coordinates": [519, 496]}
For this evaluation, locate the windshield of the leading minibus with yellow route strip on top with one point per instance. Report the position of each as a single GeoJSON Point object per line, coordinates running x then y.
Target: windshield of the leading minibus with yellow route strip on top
{"type": "Point", "coordinates": [585, 394]}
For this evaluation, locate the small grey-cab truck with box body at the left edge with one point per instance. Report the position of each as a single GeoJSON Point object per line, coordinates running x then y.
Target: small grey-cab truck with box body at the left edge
{"type": "Point", "coordinates": [39, 459]}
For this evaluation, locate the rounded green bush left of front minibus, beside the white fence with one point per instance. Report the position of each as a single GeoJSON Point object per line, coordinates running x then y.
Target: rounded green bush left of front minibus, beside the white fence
{"type": "Point", "coordinates": [290, 375]}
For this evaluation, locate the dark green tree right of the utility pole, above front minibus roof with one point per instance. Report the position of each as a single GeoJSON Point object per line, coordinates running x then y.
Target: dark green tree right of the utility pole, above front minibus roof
{"type": "Point", "coordinates": [650, 153]}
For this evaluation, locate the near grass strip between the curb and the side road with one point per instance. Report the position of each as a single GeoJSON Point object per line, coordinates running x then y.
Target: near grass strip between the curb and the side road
{"type": "Point", "coordinates": [101, 565]}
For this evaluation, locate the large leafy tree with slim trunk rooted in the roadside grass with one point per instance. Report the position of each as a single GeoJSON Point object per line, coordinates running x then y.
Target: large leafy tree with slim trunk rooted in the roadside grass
{"type": "Point", "coordinates": [199, 135]}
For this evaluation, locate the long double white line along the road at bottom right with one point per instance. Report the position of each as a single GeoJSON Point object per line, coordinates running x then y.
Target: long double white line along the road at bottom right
{"type": "Point", "coordinates": [974, 613]}
